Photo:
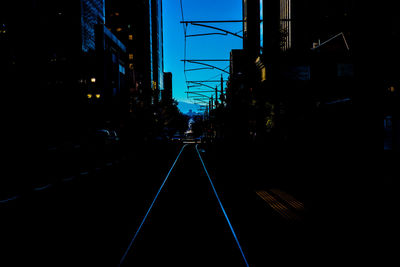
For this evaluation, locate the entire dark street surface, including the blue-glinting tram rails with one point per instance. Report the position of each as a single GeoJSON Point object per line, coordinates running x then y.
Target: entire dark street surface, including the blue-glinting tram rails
{"type": "Point", "coordinates": [280, 210]}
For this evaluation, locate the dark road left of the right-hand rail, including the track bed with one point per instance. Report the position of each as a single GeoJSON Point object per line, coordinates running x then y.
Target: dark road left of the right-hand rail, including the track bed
{"type": "Point", "coordinates": [156, 209]}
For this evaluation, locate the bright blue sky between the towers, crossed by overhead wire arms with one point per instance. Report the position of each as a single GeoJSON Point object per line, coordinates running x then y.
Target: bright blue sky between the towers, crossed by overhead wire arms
{"type": "Point", "coordinates": [206, 47]}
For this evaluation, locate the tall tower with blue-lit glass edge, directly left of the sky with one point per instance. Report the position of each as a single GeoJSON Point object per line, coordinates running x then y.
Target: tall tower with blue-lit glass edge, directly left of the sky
{"type": "Point", "coordinates": [138, 24]}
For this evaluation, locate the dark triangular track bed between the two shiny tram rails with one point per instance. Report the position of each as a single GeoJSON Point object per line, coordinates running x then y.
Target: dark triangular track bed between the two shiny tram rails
{"type": "Point", "coordinates": [187, 226]}
